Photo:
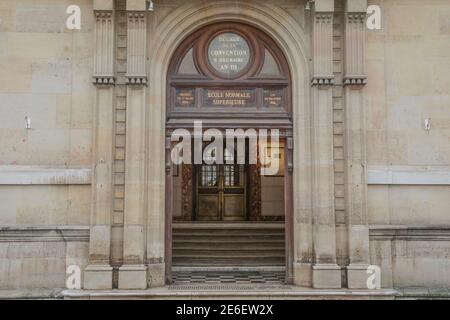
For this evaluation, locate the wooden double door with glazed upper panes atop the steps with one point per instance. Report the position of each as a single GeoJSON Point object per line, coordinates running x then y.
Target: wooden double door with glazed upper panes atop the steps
{"type": "Point", "coordinates": [221, 192]}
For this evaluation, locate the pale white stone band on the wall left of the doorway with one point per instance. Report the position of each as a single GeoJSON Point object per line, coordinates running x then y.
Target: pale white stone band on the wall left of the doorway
{"type": "Point", "coordinates": [35, 175]}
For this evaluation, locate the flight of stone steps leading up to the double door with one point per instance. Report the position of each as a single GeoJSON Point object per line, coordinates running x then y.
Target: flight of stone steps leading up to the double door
{"type": "Point", "coordinates": [228, 244]}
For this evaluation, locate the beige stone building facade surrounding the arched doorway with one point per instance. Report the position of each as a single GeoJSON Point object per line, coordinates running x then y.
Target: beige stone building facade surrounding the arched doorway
{"type": "Point", "coordinates": [85, 172]}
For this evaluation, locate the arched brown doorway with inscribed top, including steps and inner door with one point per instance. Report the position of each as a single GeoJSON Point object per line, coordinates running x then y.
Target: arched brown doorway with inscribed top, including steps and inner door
{"type": "Point", "coordinates": [230, 76]}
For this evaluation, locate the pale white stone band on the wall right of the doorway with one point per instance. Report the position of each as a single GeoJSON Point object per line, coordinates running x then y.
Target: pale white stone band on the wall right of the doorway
{"type": "Point", "coordinates": [409, 175]}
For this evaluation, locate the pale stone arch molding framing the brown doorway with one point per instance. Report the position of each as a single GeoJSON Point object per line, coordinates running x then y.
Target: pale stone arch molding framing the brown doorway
{"type": "Point", "coordinates": [292, 39]}
